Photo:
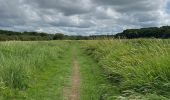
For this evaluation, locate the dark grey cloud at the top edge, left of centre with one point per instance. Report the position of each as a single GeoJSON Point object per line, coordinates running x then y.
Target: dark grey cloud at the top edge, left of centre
{"type": "Point", "coordinates": [67, 7]}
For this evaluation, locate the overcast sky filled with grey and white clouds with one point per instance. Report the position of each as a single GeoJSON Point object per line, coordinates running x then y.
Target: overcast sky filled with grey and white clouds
{"type": "Point", "coordinates": [82, 17]}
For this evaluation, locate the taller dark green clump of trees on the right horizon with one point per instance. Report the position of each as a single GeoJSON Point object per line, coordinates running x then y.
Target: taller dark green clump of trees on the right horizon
{"type": "Point", "coordinates": [152, 32]}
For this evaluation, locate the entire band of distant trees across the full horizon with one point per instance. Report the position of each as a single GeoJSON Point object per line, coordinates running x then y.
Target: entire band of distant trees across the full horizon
{"type": "Point", "coordinates": [152, 32]}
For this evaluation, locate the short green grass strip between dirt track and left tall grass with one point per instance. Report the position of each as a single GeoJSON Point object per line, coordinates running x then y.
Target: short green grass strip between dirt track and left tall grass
{"type": "Point", "coordinates": [49, 84]}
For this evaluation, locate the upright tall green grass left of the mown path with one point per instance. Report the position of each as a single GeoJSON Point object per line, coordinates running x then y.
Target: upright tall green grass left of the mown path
{"type": "Point", "coordinates": [20, 60]}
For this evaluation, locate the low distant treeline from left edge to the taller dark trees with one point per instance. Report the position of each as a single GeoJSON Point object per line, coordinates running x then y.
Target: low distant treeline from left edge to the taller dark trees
{"type": "Point", "coordinates": [35, 36]}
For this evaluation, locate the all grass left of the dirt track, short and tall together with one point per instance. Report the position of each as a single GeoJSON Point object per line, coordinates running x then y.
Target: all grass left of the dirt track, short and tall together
{"type": "Point", "coordinates": [29, 67]}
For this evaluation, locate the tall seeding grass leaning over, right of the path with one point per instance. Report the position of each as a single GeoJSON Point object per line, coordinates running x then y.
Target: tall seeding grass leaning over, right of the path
{"type": "Point", "coordinates": [141, 66]}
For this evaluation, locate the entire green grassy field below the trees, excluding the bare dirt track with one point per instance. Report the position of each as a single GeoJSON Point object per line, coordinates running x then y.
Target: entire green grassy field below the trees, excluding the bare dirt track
{"type": "Point", "coordinates": [109, 69]}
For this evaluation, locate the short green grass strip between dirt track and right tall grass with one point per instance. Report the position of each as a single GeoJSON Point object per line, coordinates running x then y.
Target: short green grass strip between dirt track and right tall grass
{"type": "Point", "coordinates": [94, 85]}
